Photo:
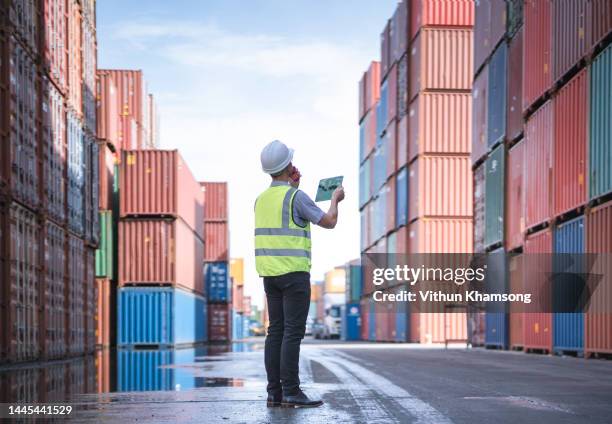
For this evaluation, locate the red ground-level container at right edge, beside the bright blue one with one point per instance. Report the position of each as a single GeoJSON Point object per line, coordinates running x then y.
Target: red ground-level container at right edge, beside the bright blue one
{"type": "Point", "coordinates": [598, 337]}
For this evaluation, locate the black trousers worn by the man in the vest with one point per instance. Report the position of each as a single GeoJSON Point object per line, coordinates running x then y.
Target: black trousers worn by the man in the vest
{"type": "Point", "coordinates": [288, 299]}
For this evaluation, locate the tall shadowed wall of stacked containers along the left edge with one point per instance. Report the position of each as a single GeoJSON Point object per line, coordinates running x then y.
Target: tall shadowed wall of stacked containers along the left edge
{"type": "Point", "coordinates": [48, 179]}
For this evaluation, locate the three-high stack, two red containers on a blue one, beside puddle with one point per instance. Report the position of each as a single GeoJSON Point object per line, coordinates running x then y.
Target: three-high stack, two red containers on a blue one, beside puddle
{"type": "Point", "coordinates": [161, 297]}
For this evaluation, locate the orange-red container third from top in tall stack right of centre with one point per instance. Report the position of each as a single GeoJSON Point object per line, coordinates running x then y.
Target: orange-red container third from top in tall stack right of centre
{"type": "Point", "coordinates": [440, 123]}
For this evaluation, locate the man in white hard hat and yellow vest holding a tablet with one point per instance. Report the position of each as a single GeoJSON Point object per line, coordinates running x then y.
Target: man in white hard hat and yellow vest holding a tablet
{"type": "Point", "coordinates": [282, 256]}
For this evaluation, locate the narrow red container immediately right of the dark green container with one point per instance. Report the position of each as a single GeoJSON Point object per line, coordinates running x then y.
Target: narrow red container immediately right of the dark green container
{"type": "Point", "coordinates": [515, 197]}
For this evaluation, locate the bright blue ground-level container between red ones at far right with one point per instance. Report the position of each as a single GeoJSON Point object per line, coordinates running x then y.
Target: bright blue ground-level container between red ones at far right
{"type": "Point", "coordinates": [568, 328]}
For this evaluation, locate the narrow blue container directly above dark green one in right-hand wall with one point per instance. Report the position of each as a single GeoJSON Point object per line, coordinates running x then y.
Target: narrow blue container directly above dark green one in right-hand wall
{"type": "Point", "coordinates": [496, 115]}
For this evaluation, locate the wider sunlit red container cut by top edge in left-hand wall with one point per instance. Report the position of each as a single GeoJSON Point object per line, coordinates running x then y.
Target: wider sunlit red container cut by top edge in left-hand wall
{"type": "Point", "coordinates": [55, 42]}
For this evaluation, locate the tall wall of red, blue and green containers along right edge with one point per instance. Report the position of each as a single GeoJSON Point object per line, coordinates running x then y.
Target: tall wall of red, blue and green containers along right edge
{"type": "Point", "coordinates": [541, 157]}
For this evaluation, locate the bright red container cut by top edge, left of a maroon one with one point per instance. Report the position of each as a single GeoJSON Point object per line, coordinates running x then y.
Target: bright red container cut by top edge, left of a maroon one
{"type": "Point", "coordinates": [537, 51]}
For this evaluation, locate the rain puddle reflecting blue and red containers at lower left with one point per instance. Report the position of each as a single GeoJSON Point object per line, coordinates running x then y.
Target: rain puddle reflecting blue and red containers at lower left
{"type": "Point", "coordinates": [120, 370]}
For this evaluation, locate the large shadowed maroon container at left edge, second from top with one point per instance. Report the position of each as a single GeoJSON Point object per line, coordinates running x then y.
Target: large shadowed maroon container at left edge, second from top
{"type": "Point", "coordinates": [19, 117]}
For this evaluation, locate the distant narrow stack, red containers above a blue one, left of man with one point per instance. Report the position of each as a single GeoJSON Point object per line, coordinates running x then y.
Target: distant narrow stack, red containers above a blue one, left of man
{"type": "Point", "coordinates": [215, 261]}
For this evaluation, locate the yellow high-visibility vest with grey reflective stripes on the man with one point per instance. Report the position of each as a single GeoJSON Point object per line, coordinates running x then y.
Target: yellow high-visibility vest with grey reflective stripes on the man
{"type": "Point", "coordinates": [281, 246]}
